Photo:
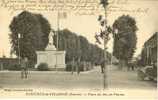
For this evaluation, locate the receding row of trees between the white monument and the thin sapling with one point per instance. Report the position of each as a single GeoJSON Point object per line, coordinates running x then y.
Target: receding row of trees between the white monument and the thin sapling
{"type": "Point", "coordinates": [78, 48]}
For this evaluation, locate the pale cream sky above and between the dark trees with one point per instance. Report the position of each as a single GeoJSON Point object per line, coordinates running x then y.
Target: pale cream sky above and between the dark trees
{"type": "Point", "coordinates": [87, 25]}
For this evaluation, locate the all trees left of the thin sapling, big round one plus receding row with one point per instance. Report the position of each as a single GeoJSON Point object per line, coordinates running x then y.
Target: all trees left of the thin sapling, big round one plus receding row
{"type": "Point", "coordinates": [29, 33]}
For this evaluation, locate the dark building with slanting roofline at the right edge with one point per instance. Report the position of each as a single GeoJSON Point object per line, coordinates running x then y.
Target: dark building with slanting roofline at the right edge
{"type": "Point", "coordinates": [149, 51]}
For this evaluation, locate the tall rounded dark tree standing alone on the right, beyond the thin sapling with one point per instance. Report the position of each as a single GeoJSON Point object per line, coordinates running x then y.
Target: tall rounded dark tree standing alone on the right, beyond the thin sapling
{"type": "Point", "coordinates": [125, 40]}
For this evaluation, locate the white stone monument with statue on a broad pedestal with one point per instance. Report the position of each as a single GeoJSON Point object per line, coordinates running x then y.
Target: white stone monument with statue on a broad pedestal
{"type": "Point", "coordinates": [54, 58]}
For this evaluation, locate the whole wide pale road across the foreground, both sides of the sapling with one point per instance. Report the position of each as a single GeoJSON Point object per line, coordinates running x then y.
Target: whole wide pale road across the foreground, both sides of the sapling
{"type": "Point", "coordinates": [65, 80]}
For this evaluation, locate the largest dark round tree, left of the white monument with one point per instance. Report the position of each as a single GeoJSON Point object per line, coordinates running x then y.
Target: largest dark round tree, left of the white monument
{"type": "Point", "coordinates": [33, 29]}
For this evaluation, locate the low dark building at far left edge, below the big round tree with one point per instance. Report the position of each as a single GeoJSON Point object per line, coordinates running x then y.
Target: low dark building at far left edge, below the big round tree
{"type": "Point", "coordinates": [5, 63]}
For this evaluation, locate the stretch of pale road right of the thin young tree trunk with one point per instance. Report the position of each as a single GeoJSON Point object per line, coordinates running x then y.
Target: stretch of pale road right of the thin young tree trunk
{"type": "Point", "coordinates": [127, 79]}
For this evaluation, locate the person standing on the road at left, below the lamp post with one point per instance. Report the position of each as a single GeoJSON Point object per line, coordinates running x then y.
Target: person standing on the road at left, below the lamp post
{"type": "Point", "coordinates": [24, 68]}
